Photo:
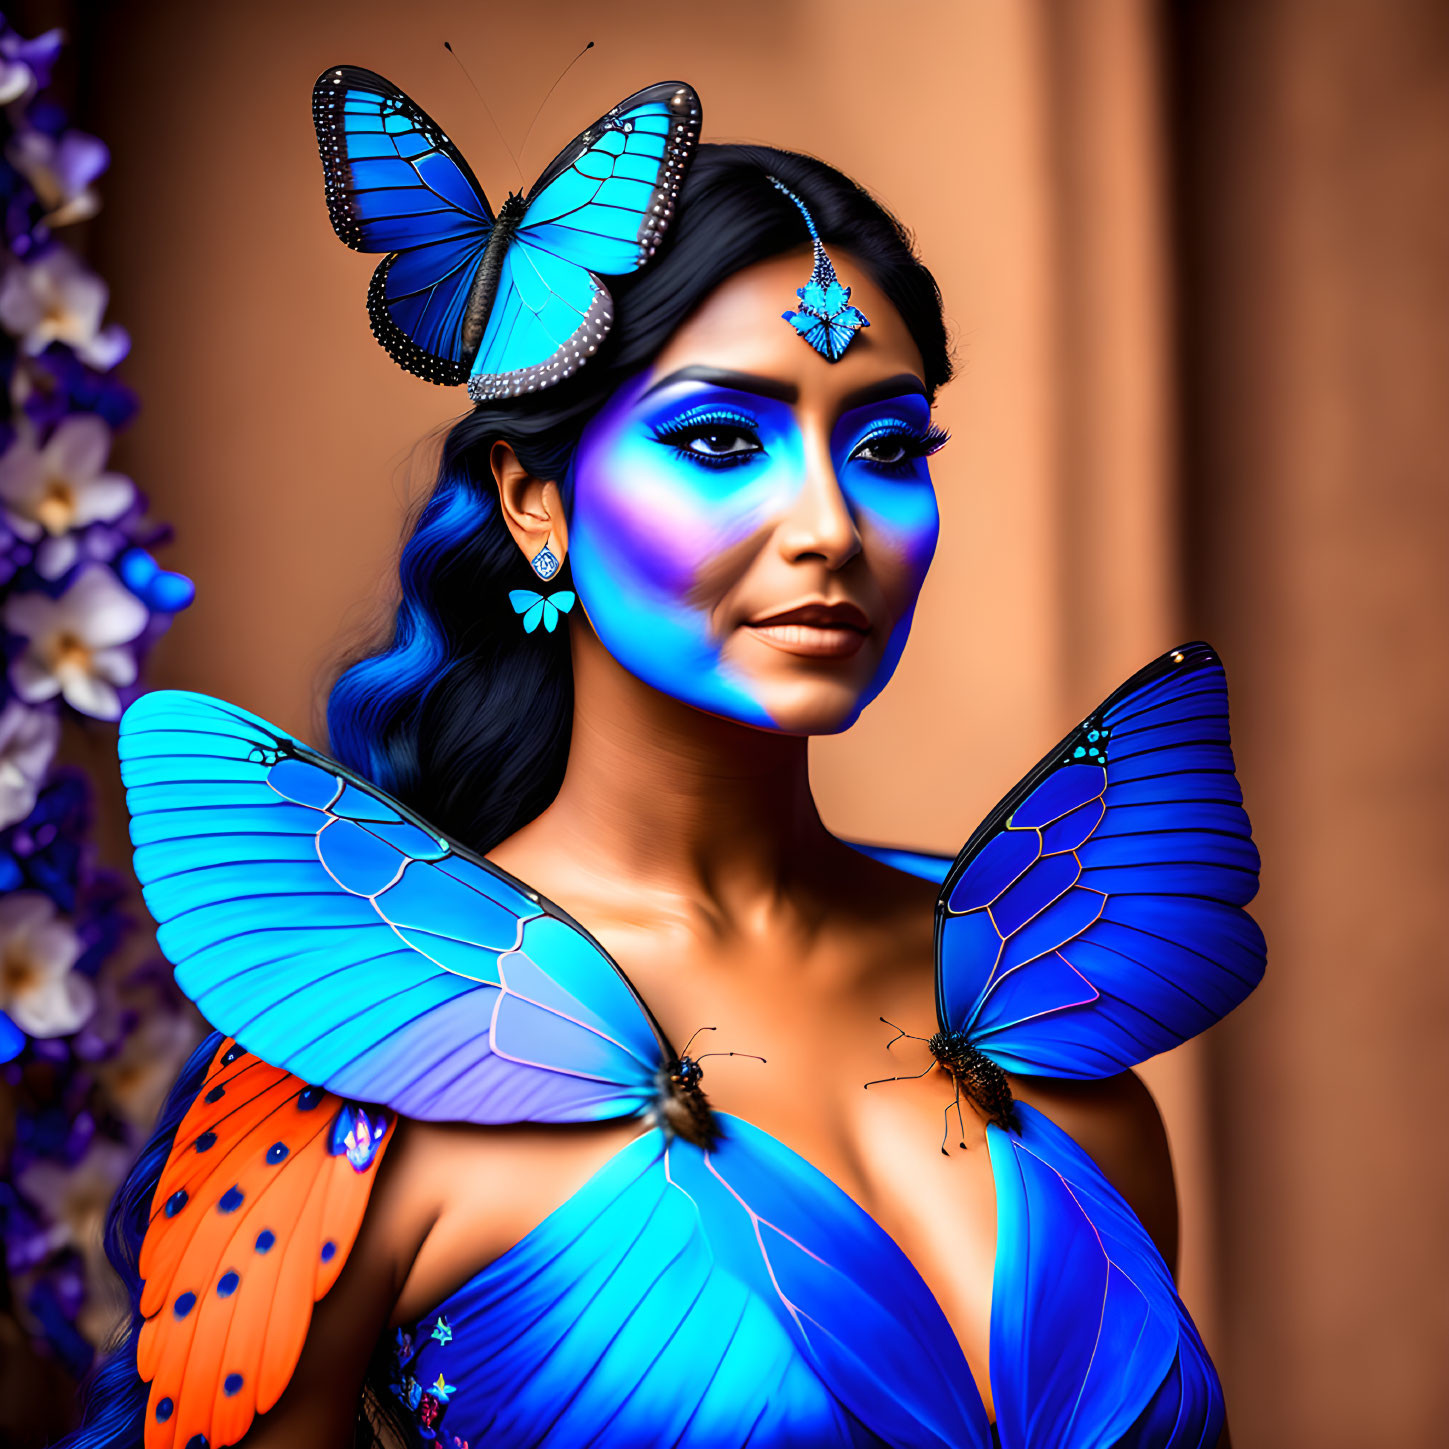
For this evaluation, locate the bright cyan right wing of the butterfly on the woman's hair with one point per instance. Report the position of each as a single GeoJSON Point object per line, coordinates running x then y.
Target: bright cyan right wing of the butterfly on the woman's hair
{"type": "Point", "coordinates": [601, 208]}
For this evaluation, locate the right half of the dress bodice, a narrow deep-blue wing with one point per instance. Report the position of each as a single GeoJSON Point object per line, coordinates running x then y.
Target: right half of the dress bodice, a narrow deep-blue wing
{"type": "Point", "coordinates": [1090, 1344]}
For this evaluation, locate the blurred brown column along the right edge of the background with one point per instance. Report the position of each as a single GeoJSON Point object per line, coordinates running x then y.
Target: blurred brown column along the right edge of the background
{"type": "Point", "coordinates": [1315, 204]}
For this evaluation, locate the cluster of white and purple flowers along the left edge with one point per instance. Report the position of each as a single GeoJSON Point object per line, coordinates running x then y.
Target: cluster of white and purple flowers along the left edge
{"type": "Point", "coordinates": [88, 1050]}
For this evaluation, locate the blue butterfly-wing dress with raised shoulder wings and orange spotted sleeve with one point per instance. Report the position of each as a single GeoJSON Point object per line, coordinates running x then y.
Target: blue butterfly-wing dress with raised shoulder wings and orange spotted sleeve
{"type": "Point", "coordinates": [708, 1286]}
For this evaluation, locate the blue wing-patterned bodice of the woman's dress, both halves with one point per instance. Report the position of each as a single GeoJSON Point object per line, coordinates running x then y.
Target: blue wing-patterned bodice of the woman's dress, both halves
{"type": "Point", "coordinates": [738, 1296]}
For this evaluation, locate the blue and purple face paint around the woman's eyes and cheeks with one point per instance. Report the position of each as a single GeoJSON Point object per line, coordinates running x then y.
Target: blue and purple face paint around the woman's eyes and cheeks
{"type": "Point", "coordinates": [680, 498]}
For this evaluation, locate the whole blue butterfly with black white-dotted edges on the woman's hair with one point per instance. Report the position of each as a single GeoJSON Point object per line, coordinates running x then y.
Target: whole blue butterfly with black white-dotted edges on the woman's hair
{"type": "Point", "coordinates": [508, 304]}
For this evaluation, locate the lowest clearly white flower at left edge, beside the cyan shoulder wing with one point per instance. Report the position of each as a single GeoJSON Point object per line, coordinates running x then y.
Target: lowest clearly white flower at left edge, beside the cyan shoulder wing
{"type": "Point", "coordinates": [38, 990]}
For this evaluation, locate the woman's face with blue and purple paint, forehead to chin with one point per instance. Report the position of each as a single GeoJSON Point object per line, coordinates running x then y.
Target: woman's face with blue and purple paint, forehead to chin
{"type": "Point", "coordinates": [753, 524]}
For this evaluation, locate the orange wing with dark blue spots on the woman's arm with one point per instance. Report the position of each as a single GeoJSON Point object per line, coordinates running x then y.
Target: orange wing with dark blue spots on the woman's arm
{"type": "Point", "coordinates": [253, 1219]}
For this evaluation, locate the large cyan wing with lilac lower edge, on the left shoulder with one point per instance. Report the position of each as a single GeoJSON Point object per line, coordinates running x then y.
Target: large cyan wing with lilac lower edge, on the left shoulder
{"type": "Point", "coordinates": [338, 937]}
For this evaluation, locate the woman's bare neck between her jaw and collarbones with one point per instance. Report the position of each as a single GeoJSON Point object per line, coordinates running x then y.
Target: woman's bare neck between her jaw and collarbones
{"type": "Point", "coordinates": [666, 799]}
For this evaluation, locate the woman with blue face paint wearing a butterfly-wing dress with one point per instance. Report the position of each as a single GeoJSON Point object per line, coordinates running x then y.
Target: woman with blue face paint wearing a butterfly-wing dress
{"type": "Point", "coordinates": [521, 1216]}
